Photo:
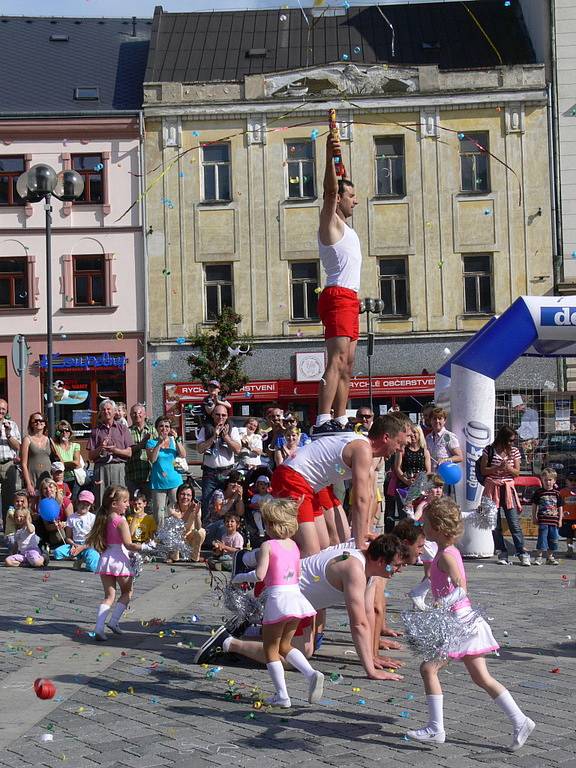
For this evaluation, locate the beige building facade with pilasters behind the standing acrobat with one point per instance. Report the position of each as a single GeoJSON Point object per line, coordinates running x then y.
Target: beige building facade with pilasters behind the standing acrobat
{"type": "Point", "coordinates": [451, 234]}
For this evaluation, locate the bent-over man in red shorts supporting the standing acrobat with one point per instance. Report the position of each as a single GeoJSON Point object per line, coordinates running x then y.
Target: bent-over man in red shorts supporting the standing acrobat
{"type": "Point", "coordinates": [340, 456]}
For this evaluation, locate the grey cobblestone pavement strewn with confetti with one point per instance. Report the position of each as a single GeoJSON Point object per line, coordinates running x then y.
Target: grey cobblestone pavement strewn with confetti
{"type": "Point", "coordinates": [138, 701]}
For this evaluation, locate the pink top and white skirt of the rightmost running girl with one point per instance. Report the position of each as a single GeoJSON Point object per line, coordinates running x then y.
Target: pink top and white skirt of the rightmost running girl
{"type": "Point", "coordinates": [479, 642]}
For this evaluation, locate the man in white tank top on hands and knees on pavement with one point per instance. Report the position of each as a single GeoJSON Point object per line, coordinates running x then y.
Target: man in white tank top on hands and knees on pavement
{"type": "Point", "coordinates": [334, 577]}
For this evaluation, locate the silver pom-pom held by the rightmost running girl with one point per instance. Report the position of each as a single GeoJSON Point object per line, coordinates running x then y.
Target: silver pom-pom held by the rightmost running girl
{"type": "Point", "coordinates": [432, 634]}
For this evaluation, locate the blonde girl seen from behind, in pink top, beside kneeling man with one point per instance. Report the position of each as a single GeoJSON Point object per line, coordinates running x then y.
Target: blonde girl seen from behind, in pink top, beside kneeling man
{"type": "Point", "coordinates": [278, 566]}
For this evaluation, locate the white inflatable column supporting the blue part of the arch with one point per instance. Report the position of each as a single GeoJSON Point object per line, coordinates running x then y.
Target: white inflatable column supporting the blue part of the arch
{"type": "Point", "coordinates": [472, 419]}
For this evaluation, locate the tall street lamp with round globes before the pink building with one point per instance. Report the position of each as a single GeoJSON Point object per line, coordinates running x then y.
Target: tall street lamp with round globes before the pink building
{"type": "Point", "coordinates": [40, 182]}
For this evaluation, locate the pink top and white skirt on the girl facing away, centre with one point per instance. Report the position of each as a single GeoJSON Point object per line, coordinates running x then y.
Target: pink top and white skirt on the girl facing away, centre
{"type": "Point", "coordinates": [284, 600]}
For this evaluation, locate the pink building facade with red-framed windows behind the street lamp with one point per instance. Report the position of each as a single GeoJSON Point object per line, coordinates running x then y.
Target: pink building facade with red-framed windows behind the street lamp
{"type": "Point", "coordinates": [98, 266]}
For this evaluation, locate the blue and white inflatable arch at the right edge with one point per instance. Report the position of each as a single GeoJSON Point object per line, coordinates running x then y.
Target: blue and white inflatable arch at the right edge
{"type": "Point", "coordinates": [542, 326]}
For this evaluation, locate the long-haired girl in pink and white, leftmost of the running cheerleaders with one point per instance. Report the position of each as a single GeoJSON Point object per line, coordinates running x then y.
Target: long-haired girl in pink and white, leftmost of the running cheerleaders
{"type": "Point", "coordinates": [110, 535]}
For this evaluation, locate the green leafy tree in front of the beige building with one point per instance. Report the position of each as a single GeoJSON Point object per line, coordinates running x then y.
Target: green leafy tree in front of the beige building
{"type": "Point", "coordinates": [217, 357]}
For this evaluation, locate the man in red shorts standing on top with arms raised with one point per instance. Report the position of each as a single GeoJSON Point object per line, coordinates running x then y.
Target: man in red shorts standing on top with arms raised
{"type": "Point", "coordinates": [338, 305]}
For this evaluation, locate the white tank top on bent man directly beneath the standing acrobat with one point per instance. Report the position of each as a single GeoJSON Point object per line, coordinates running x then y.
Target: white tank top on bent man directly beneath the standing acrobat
{"type": "Point", "coordinates": [320, 462]}
